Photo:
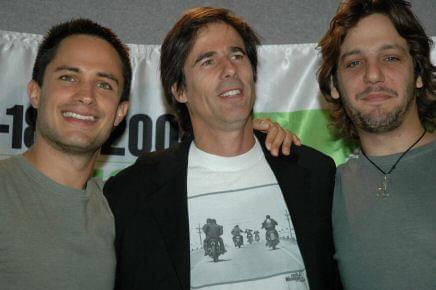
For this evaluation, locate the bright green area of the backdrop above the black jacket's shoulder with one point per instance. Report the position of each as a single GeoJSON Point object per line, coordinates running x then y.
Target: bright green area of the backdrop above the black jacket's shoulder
{"type": "Point", "coordinates": [312, 127]}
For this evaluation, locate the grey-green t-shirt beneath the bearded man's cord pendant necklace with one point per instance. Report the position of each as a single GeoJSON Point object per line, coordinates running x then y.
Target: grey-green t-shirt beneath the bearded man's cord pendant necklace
{"type": "Point", "coordinates": [387, 243]}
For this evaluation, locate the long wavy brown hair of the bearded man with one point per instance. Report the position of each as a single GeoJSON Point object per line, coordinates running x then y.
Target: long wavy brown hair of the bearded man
{"type": "Point", "coordinates": [408, 27]}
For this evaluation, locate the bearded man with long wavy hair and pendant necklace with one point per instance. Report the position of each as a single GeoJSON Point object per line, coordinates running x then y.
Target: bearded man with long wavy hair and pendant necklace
{"type": "Point", "coordinates": [377, 73]}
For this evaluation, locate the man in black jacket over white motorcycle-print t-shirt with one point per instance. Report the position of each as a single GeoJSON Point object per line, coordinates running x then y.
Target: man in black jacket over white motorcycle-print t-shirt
{"type": "Point", "coordinates": [221, 169]}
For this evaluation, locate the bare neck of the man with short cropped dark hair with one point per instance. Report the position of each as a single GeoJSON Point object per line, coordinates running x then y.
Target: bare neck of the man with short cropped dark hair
{"type": "Point", "coordinates": [72, 170]}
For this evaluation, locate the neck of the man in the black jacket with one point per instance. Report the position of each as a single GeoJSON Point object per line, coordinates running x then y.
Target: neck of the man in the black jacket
{"type": "Point", "coordinates": [225, 143]}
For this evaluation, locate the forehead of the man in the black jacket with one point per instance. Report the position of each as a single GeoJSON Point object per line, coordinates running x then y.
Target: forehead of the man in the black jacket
{"type": "Point", "coordinates": [215, 36]}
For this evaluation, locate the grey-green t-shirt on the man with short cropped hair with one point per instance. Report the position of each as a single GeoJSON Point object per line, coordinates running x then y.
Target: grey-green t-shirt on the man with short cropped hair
{"type": "Point", "coordinates": [53, 236]}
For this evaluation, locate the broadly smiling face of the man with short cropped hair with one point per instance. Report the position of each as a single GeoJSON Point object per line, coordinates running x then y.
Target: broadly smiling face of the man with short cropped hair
{"type": "Point", "coordinates": [79, 101]}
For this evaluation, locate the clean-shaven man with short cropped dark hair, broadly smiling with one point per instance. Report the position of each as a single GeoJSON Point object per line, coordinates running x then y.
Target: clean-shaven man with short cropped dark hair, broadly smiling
{"type": "Point", "coordinates": [56, 228]}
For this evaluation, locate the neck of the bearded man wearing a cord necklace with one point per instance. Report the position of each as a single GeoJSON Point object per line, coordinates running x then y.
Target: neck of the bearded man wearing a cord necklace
{"type": "Point", "coordinates": [397, 140]}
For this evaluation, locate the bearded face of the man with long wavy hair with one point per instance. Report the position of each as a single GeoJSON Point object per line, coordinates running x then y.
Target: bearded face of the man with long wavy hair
{"type": "Point", "coordinates": [376, 79]}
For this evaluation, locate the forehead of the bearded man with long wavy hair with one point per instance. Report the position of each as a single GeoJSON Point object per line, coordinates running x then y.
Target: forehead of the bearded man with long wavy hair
{"type": "Point", "coordinates": [372, 33]}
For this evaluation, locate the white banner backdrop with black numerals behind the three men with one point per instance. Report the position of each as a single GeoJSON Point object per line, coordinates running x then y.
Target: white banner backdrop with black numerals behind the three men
{"type": "Point", "coordinates": [286, 91]}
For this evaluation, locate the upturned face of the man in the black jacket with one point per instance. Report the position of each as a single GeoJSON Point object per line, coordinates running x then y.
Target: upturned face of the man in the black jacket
{"type": "Point", "coordinates": [219, 91]}
